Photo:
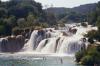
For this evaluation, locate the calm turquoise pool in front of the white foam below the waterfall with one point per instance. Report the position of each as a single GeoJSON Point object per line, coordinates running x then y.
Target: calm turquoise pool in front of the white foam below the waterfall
{"type": "Point", "coordinates": [50, 61]}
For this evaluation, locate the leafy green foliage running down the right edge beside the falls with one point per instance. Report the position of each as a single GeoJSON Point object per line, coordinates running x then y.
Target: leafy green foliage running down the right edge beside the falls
{"type": "Point", "coordinates": [92, 56]}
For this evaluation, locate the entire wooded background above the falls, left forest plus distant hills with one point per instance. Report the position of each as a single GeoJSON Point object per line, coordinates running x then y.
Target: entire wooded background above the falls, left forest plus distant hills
{"type": "Point", "coordinates": [27, 14]}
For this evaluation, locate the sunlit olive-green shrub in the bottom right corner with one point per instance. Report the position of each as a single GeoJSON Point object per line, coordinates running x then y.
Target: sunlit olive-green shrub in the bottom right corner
{"type": "Point", "coordinates": [92, 57]}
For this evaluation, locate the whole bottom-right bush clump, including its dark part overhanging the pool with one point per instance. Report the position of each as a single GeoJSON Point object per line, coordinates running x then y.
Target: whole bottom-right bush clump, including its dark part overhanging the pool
{"type": "Point", "coordinates": [90, 57]}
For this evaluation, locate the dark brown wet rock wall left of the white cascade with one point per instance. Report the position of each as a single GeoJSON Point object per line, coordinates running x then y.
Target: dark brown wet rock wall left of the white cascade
{"type": "Point", "coordinates": [12, 43]}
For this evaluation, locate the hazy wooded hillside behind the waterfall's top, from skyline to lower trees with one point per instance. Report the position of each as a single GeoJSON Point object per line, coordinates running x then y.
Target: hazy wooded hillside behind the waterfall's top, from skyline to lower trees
{"type": "Point", "coordinates": [76, 14]}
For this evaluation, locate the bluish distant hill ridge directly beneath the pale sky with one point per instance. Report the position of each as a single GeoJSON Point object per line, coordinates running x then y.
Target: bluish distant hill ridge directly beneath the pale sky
{"type": "Point", "coordinates": [83, 9]}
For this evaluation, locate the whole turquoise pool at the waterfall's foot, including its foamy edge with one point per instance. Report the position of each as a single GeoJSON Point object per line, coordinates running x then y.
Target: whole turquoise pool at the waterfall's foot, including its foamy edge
{"type": "Point", "coordinates": [35, 60]}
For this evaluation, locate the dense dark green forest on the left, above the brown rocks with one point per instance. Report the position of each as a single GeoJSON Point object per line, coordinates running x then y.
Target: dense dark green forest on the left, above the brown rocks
{"type": "Point", "coordinates": [22, 14]}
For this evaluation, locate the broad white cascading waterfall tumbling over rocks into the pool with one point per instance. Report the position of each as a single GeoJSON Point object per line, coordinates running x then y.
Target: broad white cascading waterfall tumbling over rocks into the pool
{"type": "Point", "coordinates": [62, 41]}
